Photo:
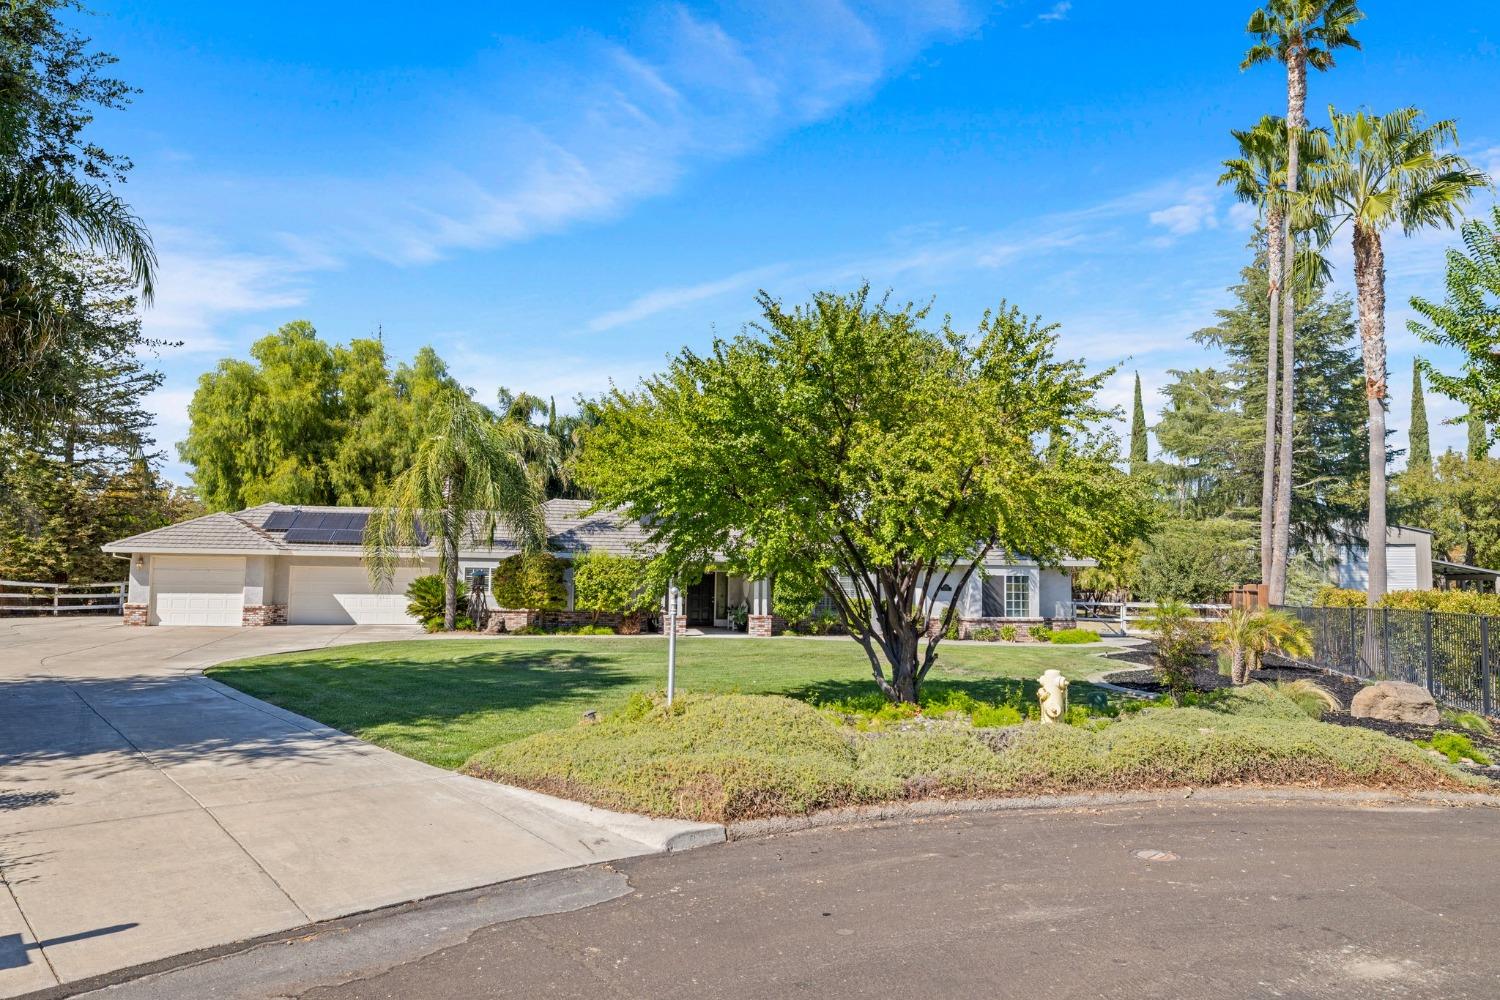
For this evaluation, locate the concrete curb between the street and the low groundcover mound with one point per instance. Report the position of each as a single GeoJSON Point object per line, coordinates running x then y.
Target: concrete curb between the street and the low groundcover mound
{"type": "Point", "coordinates": [925, 809]}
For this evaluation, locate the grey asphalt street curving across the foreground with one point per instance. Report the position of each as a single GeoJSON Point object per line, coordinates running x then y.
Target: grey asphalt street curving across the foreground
{"type": "Point", "coordinates": [1175, 900]}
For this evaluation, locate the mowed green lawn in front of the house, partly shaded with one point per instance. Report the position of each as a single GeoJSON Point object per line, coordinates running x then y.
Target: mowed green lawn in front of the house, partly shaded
{"type": "Point", "coordinates": [445, 701]}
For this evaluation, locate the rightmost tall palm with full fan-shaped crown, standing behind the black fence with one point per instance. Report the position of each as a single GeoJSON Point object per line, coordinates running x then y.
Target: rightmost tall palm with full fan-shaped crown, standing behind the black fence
{"type": "Point", "coordinates": [1381, 172]}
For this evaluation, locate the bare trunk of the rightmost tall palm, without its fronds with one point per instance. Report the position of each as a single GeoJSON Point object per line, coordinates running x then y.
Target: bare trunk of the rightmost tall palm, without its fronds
{"type": "Point", "coordinates": [1370, 283]}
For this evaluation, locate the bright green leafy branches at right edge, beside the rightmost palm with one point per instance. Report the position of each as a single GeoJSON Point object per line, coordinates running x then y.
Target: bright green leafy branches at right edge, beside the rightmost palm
{"type": "Point", "coordinates": [1469, 320]}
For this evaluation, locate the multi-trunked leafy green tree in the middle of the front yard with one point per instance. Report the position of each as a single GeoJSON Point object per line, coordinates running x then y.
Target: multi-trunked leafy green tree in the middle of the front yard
{"type": "Point", "coordinates": [848, 442]}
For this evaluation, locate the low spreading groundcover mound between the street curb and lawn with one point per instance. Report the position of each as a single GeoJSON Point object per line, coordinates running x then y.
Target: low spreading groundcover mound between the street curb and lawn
{"type": "Point", "coordinates": [733, 758]}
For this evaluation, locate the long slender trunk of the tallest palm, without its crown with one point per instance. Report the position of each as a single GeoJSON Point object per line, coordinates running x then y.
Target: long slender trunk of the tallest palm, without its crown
{"type": "Point", "coordinates": [1297, 121]}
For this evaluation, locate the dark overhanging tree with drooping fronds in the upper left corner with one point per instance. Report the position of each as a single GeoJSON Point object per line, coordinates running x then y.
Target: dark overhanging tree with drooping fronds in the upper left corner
{"type": "Point", "coordinates": [56, 203]}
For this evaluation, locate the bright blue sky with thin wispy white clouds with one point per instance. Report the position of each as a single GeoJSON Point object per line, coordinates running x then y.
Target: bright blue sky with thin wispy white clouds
{"type": "Point", "coordinates": [559, 196]}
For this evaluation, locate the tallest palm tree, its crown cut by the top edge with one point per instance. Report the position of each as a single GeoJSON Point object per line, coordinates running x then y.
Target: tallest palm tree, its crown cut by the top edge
{"type": "Point", "coordinates": [1297, 34]}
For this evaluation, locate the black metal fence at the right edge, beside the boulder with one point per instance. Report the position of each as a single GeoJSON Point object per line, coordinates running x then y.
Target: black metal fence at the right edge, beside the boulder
{"type": "Point", "coordinates": [1451, 656]}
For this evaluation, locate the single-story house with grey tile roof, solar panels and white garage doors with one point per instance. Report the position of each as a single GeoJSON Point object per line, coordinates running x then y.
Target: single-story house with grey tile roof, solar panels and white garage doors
{"type": "Point", "coordinates": [304, 566]}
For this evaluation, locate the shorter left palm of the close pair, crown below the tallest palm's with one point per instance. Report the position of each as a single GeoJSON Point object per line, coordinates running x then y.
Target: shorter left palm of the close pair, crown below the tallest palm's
{"type": "Point", "coordinates": [1258, 178]}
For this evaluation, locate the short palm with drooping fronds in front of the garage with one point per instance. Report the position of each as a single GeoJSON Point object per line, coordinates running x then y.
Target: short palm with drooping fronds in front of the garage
{"type": "Point", "coordinates": [469, 478]}
